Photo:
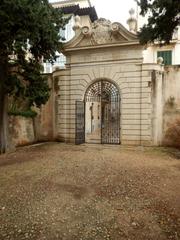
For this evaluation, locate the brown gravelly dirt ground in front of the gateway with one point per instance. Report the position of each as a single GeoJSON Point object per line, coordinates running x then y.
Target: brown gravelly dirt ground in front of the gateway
{"type": "Point", "coordinates": [55, 191]}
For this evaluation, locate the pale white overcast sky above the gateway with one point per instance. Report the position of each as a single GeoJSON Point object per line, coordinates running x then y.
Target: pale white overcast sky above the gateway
{"type": "Point", "coordinates": [114, 10]}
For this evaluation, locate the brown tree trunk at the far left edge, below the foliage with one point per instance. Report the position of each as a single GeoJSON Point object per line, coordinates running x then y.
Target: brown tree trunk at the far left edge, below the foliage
{"type": "Point", "coordinates": [3, 111]}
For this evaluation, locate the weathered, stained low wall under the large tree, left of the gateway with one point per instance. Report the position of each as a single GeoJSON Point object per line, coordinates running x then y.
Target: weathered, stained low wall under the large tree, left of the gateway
{"type": "Point", "coordinates": [25, 131]}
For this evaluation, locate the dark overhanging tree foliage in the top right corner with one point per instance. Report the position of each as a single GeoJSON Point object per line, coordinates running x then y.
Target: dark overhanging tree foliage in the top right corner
{"type": "Point", "coordinates": [163, 19]}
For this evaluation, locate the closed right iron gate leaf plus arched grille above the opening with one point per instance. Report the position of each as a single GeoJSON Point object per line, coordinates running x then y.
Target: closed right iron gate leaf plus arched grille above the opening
{"type": "Point", "coordinates": [107, 95]}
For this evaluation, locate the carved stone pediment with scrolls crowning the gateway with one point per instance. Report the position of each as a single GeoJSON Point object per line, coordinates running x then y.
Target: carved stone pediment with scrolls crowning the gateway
{"type": "Point", "coordinates": [102, 32]}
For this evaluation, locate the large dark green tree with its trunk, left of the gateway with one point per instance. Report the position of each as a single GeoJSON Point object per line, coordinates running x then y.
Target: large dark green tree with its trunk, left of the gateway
{"type": "Point", "coordinates": [29, 32]}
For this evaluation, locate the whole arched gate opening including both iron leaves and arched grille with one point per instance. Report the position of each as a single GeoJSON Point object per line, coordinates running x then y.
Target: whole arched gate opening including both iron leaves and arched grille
{"type": "Point", "coordinates": [98, 117]}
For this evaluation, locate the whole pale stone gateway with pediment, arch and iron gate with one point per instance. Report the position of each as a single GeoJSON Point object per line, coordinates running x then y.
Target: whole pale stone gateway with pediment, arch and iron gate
{"type": "Point", "coordinates": [106, 94]}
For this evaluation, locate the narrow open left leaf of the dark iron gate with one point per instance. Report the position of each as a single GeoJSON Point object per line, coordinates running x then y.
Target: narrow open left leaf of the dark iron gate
{"type": "Point", "coordinates": [80, 122]}
